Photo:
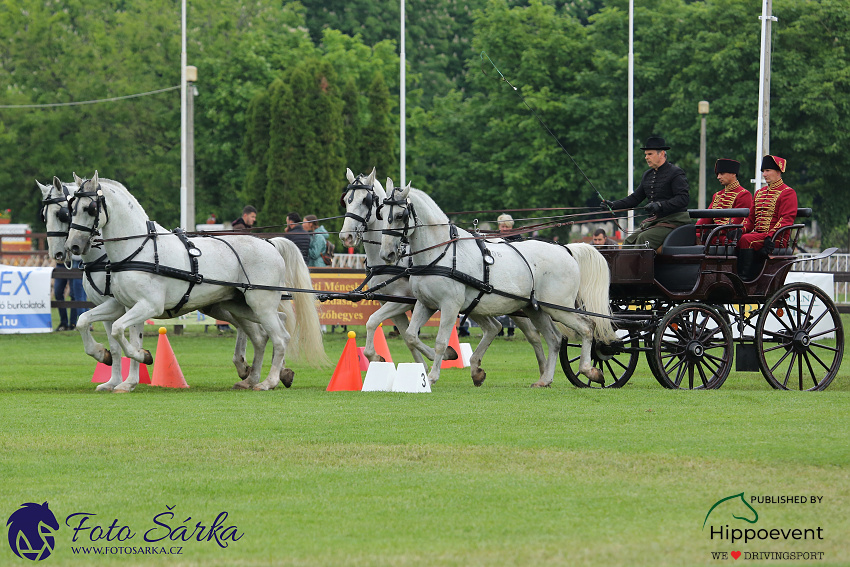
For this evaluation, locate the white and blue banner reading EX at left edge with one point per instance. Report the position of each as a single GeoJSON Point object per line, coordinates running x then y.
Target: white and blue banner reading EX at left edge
{"type": "Point", "coordinates": [24, 299]}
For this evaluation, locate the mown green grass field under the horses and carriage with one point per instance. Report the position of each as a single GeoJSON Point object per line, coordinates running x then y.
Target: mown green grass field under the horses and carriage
{"type": "Point", "coordinates": [497, 475]}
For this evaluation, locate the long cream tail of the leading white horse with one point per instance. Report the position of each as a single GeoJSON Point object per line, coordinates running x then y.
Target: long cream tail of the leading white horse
{"type": "Point", "coordinates": [304, 328]}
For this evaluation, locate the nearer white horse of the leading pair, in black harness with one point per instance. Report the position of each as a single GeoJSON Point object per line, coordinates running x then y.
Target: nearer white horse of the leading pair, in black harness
{"type": "Point", "coordinates": [161, 275]}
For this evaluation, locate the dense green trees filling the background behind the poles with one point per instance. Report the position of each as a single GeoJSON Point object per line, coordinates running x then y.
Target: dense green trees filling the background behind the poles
{"type": "Point", "coordinates": [292, 93]}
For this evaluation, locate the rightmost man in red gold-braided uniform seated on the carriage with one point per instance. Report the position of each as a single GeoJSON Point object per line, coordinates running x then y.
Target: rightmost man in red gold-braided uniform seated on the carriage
{"type": "Point", "coordinates": [775, 207]}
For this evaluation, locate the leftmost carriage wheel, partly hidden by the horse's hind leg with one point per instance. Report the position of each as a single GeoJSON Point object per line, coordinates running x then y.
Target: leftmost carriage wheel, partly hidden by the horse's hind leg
{"type": "Point", "coordinates": [616, 364]}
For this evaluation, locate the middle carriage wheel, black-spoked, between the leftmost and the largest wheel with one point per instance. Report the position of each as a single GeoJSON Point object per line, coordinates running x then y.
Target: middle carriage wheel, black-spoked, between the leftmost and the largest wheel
{"type": "Point", "coordinates": [692, 348]}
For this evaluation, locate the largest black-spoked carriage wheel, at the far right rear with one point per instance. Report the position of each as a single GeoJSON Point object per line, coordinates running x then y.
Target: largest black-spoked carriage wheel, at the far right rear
{"type": "Point", "coordinates": [793, 338]}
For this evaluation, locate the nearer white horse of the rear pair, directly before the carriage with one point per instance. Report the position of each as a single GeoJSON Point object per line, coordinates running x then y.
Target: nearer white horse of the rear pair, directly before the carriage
{"type": "Point", "coordinates": [523, 274]}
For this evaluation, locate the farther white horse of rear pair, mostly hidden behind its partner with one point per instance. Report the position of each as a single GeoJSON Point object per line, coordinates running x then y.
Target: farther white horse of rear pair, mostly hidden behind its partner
{"type": "Point", "coordinates": [363, 221]}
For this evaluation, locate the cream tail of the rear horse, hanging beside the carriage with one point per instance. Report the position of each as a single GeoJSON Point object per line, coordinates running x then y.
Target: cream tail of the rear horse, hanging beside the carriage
{"type": "Point", "coordinates": [593, 288]}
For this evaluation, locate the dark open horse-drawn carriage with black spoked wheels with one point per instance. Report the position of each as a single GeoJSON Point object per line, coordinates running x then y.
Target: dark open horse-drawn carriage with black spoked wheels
{"type": "Point", "coordinates": [691, 315]}
